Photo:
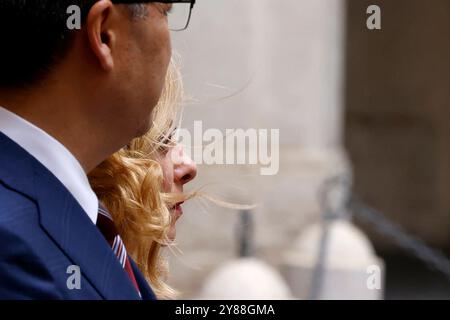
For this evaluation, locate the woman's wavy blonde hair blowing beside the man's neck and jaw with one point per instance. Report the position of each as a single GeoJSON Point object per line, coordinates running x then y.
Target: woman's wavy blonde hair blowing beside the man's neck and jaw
{"type": "Point", "coordinates": [129, 184]}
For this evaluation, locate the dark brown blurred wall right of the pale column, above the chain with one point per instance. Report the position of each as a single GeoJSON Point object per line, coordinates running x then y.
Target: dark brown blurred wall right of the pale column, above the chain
{"type": "Point", "coordinates": [397, 113]}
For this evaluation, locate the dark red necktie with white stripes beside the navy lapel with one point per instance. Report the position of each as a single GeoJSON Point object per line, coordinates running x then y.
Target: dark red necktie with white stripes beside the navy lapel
{"type": "Point", "coordinates": [106, 225]}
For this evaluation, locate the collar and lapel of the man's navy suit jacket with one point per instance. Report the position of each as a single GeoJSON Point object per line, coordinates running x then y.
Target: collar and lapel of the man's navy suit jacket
{"type": "Point", "coordinates": [65, 221]}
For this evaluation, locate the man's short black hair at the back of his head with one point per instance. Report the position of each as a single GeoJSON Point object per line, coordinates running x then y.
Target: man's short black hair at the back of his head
{"type": "Point", "coordinates": [34, 37]}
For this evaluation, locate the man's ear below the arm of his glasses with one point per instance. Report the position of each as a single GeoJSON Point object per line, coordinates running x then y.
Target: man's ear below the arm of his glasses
{"type": "Point", "coordinates": [100, 34]}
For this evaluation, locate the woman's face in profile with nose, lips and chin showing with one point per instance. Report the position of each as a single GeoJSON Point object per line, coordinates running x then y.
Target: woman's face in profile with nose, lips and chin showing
{"type": "Point", "coordinates": [176, 174]}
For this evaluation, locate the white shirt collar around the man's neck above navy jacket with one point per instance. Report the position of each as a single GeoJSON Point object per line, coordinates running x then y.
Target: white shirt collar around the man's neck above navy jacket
{"type": "Point", "coordinates": [54, 156]}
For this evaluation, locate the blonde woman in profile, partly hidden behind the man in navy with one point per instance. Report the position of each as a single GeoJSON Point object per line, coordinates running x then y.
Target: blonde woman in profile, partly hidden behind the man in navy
{"type": "Point", "coordinates": [142, 188]}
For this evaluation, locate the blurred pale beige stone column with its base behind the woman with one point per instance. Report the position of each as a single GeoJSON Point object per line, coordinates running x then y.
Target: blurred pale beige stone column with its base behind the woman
{"type": "Point", "coordinates": [262, 64]}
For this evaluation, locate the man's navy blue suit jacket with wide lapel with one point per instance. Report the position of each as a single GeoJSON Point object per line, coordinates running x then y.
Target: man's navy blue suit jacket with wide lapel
{"type": "Point", "coordinates": [44, 231]}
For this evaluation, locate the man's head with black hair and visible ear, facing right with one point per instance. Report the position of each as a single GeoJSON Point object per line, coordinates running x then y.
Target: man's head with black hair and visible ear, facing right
{"type": "Point", "coordinates": [114, 67]}
